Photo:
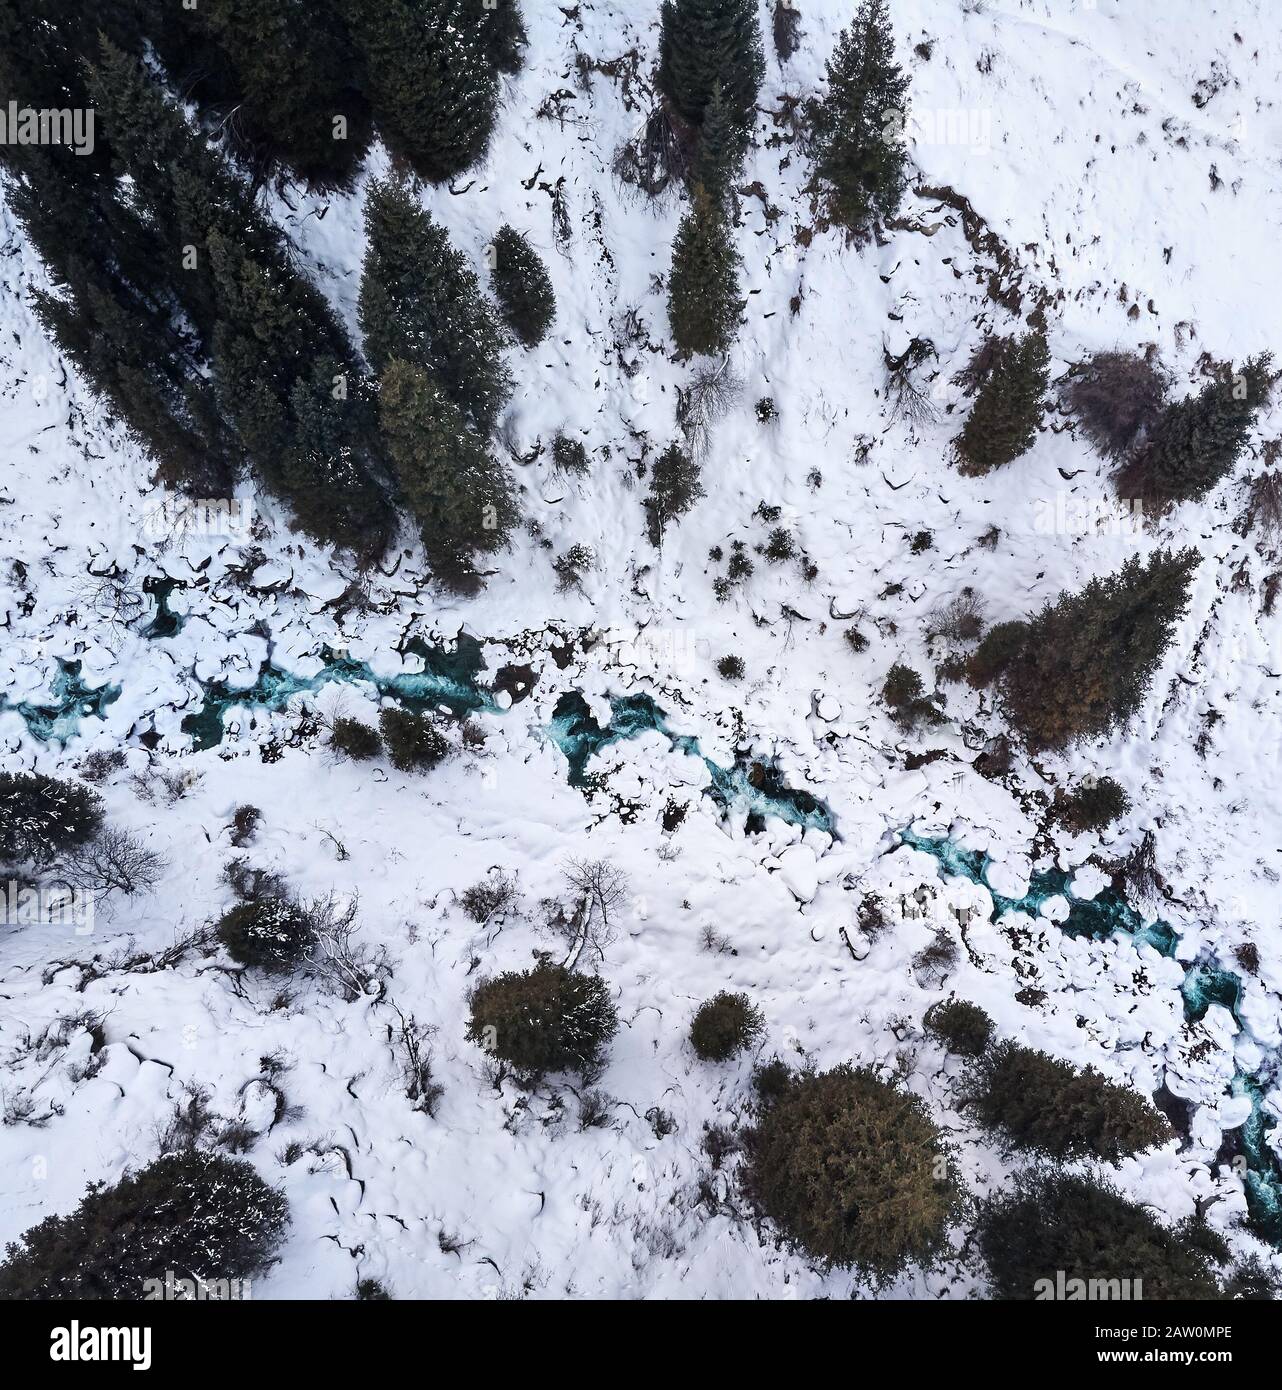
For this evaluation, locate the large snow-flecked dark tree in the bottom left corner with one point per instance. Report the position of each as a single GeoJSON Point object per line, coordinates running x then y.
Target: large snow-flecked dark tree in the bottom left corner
{"type": "Point", "coordinates": [197, 1216]}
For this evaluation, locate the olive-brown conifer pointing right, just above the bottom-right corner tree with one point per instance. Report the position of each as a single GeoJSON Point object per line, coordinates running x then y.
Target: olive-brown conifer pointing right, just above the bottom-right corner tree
{"type": "Point", "coordinates": [1046, 1106]}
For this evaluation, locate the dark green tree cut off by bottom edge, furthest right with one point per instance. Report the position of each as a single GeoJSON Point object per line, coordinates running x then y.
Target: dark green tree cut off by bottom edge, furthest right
{"type": "Point", "coordinates": [1084, 1227]}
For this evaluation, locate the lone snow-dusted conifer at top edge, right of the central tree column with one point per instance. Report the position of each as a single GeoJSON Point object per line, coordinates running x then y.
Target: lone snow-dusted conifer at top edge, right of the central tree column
{"type": "Point", "coordinates": [860, 152]}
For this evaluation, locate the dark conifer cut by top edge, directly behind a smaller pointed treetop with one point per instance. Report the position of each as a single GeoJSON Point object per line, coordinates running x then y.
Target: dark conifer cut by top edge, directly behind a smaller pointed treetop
{"type": "Point", "coordinates": [706, 44]}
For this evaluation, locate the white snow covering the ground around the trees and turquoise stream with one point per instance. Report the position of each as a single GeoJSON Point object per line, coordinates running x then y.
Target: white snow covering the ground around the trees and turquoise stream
{"type": "Point", "coordinates": [1130, 159]}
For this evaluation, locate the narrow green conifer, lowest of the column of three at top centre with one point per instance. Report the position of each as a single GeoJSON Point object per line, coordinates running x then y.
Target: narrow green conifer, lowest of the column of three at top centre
{"type": "Point", "coordinates": [703, 287]}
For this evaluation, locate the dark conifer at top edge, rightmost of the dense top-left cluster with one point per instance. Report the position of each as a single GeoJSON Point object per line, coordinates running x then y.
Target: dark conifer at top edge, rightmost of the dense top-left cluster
{"type": "Point", "coordinates": [432, 81]}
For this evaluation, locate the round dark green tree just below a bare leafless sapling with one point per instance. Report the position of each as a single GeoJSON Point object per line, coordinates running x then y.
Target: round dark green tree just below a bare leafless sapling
{"type": "Point", "coordinates": [547, 1020]}
